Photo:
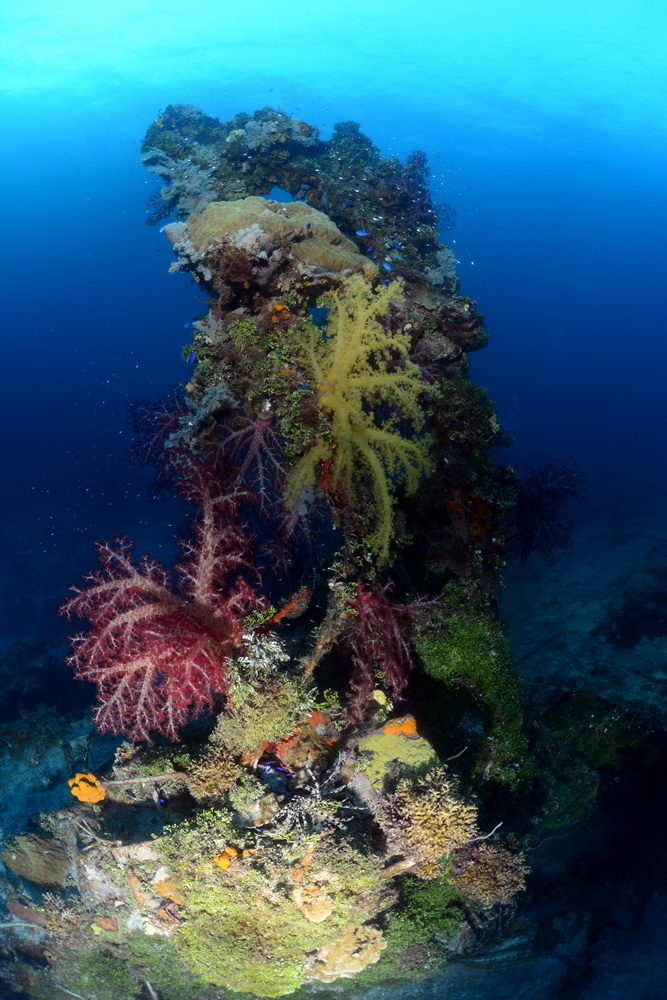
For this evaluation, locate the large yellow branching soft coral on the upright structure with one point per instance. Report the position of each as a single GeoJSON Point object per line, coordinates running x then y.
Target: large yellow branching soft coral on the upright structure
{"type": "Point", "coordinates": [369, 392]}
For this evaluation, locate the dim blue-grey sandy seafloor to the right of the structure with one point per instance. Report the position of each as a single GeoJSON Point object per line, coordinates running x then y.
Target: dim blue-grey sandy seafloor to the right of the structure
{"type": "Point", "coordinates": [557, 617]}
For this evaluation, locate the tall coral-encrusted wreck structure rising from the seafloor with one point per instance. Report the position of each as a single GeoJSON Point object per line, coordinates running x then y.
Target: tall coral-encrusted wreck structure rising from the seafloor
{"type": "Point", "coordinates": [321, 719]}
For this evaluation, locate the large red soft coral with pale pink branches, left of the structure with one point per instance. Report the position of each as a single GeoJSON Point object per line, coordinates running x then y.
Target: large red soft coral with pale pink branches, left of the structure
{"type": "Point", "coordinates": [158, 654]}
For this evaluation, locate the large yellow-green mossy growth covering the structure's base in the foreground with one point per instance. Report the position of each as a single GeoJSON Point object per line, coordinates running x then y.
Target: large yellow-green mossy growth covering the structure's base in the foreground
{"type": "Point", "coordinates": [246, 928]}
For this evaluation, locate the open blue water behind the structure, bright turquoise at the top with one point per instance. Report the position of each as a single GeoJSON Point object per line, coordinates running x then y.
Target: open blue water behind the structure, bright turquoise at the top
{"type": "Point", "coordinates": [544, 126]}
